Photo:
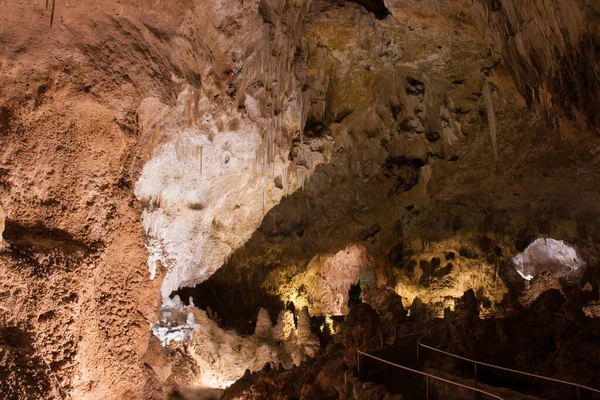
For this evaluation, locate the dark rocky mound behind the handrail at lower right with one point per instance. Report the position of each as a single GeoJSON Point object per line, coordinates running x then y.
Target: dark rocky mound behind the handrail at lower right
{"type": "Point", "coordinates": [551, 336]}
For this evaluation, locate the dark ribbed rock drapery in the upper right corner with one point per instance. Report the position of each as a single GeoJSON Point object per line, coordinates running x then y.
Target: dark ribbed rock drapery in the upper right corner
{"type": "Point", "coordinates": [552, 49]}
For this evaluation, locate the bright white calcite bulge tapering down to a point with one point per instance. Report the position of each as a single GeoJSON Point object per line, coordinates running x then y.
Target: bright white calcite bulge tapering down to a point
{"type": "Point", "coordinates": [204, 194]}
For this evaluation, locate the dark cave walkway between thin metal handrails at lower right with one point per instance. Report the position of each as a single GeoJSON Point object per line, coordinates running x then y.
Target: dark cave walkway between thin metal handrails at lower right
{"type": "Point", "coordinates": [399, 361]}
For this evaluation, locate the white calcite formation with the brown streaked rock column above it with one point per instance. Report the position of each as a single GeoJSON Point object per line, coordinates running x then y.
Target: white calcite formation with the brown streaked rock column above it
{"type": "Point", "coordinates": [220, 160]}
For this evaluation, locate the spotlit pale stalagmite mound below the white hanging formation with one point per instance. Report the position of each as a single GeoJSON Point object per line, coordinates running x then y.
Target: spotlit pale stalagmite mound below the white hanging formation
{"type": "Point", "coordinates": [215, 358]}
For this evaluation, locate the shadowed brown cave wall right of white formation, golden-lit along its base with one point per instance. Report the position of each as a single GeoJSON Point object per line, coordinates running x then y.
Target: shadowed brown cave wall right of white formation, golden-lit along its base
{"type": "Point", "coordinates": [439, 169]}
